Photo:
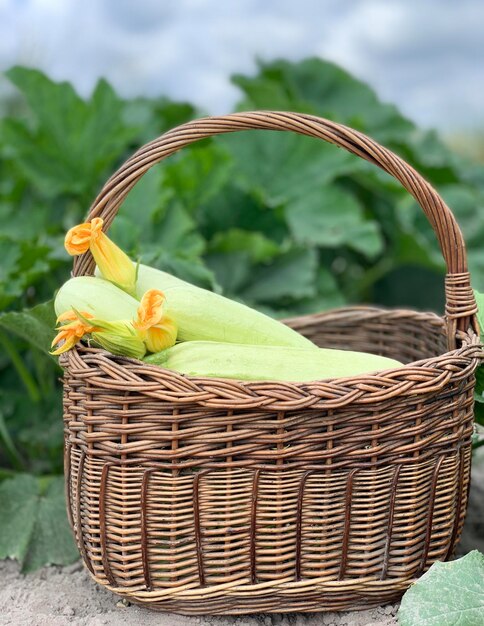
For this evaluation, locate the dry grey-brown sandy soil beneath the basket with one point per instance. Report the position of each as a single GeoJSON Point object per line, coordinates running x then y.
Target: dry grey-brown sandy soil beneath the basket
{"type": "Point", "coordinates": [56, 596]}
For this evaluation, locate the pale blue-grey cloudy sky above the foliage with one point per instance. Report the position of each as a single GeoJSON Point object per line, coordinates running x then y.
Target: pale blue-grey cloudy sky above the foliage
{"type": "Point", "coordinates": [427, 56]}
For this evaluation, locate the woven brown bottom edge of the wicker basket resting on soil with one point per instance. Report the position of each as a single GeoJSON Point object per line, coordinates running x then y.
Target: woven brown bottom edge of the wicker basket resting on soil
{"type": "Point", "coordinates": [333, 596]}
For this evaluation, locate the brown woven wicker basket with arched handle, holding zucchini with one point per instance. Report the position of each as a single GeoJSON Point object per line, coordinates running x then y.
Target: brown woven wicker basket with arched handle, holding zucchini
{"type": "Point", "coordinates": [203, 496]}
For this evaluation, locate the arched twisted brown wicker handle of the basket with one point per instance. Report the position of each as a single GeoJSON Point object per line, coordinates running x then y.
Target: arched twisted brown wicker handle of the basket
{"type": "Point", "coordinates": [460, 309]}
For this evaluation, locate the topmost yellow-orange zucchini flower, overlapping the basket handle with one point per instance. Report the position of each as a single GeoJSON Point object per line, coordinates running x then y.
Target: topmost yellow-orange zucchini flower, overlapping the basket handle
{"type": "Point", "coordinates": [112, 262]}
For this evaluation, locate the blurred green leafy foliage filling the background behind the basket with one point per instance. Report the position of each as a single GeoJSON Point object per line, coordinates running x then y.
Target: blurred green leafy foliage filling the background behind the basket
{"type": "Point", "coordinates": [285, 223]}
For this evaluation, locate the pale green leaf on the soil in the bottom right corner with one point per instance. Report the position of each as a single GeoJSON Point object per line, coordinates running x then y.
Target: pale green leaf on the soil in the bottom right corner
{"type": "Point", "coordinates": [449, 594]}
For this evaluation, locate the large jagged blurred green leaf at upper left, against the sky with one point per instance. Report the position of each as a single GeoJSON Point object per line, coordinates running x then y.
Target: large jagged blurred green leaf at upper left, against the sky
{"type": "Point", "coordinates": [70, 143]}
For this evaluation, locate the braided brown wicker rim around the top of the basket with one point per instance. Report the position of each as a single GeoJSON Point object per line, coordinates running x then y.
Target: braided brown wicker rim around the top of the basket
{"type": "Point", "coordinates": [119, 373]}
